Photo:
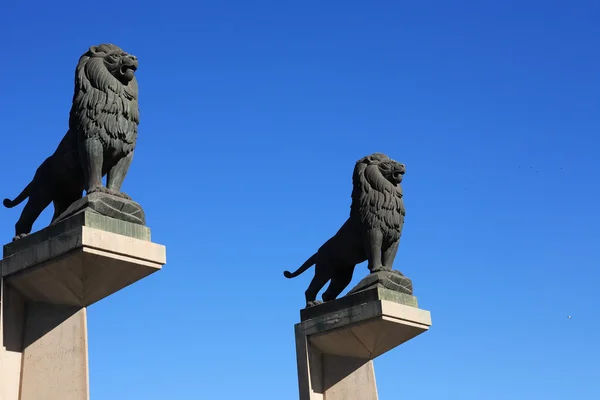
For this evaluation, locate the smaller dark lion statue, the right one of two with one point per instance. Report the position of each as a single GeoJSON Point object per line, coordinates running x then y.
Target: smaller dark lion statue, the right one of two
{"type": "Point", "coordinates": [372, 232]}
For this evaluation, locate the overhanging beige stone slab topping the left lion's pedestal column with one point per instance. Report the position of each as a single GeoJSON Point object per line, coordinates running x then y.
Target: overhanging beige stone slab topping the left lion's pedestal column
{"type": "Point", "coordinates": [81, 266]}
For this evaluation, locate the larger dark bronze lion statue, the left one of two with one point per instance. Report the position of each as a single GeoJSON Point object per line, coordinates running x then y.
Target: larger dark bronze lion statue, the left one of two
{"type": "Point", "coordinates": [101, 139]}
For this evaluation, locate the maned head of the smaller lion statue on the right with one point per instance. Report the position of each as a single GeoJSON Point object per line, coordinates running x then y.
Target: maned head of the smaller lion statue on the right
{"type": "Point", "coordinates": [377, 194]}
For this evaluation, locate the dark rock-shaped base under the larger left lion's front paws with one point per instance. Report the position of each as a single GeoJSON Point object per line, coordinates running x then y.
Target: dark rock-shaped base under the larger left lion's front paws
{"type": "Point", "coordinates": [109, 206]}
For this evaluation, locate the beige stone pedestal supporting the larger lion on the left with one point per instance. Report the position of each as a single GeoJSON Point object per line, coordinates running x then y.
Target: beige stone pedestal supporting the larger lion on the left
{"type": "Point", "coordinates": [48, 280]}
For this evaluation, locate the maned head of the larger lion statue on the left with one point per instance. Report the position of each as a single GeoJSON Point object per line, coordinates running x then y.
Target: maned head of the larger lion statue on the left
{"type": "Point", "coordinates": [105, 102]}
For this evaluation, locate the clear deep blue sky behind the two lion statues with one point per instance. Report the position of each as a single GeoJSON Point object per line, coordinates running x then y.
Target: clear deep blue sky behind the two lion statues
{"type": "Point", "coordinates": [252, 116]}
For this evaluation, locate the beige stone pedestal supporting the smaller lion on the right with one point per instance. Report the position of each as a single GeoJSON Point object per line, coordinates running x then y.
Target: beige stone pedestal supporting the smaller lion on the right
{"type": "Point", "coordinates": [337, 341]}
